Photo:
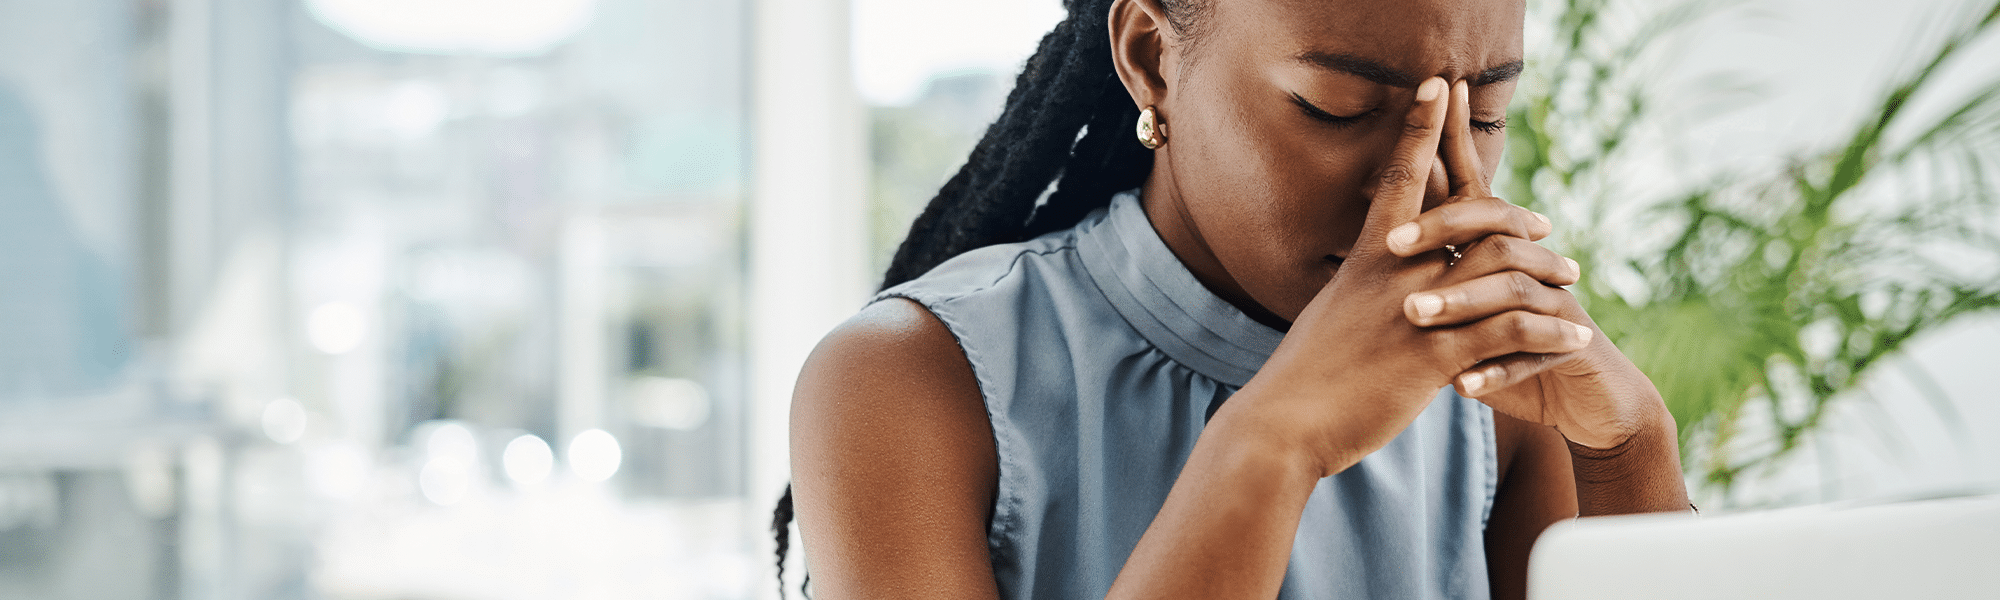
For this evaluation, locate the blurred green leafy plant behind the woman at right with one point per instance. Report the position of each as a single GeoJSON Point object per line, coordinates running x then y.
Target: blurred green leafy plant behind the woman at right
{"type": "Point", "coordinates": [1781, 287]}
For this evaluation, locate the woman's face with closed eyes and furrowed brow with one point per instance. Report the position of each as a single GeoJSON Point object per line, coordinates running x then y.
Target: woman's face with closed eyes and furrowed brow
{"type": "Point", "coordinates": [1285, 109]}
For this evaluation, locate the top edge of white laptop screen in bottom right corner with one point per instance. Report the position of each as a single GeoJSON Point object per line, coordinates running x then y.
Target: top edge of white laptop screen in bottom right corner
{"type": "Point", "coordinates": [1929, 549]}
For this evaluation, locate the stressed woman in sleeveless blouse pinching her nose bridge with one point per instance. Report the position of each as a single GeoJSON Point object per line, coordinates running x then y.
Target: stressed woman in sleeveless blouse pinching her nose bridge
{"type": "Point", "coordinates": [1299, 225]}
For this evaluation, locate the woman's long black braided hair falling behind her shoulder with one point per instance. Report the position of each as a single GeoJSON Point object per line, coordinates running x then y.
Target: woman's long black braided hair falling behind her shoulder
{"type": "Point", "coordinates": [1067, 87]}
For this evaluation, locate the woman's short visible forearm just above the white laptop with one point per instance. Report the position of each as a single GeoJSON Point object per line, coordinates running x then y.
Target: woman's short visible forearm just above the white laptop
{"type": "Point", "coordinates": [1643, 475]}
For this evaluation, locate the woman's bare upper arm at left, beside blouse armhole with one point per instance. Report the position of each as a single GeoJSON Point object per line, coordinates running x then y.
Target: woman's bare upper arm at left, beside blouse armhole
{"type": "Point", "coordinates": [893, 461]}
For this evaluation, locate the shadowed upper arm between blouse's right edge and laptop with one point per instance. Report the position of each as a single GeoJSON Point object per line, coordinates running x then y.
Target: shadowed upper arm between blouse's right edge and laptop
{"type": "Point", "coordinates": [1537, 489]}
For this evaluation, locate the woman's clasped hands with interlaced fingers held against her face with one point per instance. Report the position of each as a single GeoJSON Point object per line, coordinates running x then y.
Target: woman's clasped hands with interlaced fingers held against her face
{"type": "Point", "coordinates": [1405, 317]}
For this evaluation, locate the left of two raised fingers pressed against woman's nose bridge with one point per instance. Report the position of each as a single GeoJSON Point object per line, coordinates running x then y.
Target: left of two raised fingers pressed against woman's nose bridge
{"type": "Point", "coordinates": [1399, 187]}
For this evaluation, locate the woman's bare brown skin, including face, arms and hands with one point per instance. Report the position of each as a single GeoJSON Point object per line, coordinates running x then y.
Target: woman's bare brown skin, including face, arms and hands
{"type": "Point", "coordinates": [1329, 231]}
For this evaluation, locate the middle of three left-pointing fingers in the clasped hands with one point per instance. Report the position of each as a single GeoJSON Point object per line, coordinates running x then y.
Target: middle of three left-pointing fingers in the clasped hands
{"type": "Point", "coordinates": [1485, 297]}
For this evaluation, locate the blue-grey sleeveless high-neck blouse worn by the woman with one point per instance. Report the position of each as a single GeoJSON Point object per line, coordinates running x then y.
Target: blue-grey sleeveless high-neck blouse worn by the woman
{"type": "Point", "coordinates": [1101, 359]}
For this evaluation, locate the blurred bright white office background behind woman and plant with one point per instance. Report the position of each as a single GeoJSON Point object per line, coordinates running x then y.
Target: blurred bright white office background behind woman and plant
{"type": "Point", "coordinates": [455, 299]}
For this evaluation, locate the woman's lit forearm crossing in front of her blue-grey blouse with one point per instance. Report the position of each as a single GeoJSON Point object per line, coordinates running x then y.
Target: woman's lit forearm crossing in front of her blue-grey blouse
{"type": "Point", "coordinates": [1227, 527]}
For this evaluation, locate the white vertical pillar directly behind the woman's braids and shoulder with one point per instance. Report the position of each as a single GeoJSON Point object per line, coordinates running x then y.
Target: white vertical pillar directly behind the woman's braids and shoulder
{"type": "Point", "coordinates": [807, 219]}
